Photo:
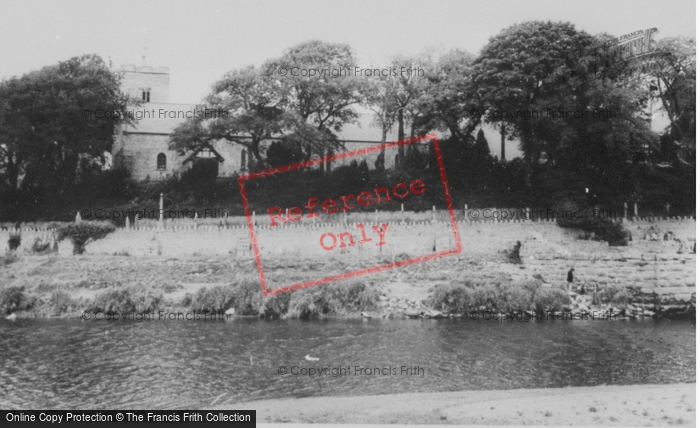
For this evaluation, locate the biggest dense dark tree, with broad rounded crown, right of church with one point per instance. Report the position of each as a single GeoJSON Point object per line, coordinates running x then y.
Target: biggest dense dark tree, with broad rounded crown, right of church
{"type": "Point", "coordinates": [518, 76]}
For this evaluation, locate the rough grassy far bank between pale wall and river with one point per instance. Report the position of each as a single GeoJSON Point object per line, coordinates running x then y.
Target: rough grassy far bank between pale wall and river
{"type": "Point", "coordinates": [68, 287]}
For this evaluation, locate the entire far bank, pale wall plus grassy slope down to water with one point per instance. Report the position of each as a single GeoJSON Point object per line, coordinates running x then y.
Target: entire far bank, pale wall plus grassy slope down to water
{"type": "Point", "coordinates": [651, 277]}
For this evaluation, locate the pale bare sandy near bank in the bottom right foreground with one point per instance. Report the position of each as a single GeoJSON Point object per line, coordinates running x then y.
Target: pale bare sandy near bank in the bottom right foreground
{"type": "Point", "coordinates": [629, 405]}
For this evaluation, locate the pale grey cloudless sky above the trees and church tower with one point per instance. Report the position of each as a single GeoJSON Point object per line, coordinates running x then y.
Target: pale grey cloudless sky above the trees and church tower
{"type": "Point", "coordinates": [201, 41]}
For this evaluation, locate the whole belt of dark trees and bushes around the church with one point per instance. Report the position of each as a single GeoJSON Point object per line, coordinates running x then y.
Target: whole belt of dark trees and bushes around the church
{"type": "Point", "coordinates": [532, 66]}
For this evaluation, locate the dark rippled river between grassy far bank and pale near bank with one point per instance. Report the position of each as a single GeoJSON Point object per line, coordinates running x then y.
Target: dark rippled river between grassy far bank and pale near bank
{"type": "Point", "coordinates": [60, 363]}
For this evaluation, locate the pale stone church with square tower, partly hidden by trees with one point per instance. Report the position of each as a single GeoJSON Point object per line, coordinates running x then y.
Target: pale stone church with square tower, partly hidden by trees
{"type": "Point", "coordinates": [143, 148]}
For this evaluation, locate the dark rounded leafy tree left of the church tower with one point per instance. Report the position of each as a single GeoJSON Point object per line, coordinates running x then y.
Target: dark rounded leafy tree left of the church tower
{"type": "Point", "coordinates": [53, 123]}
